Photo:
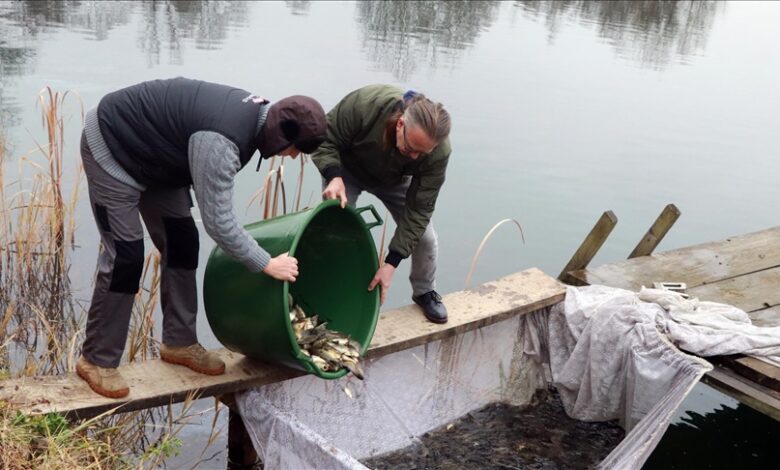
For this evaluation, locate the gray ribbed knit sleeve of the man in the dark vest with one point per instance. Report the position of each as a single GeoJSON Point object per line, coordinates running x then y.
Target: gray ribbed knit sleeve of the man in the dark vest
{"type": "Point", "coordinates": [214, 163]}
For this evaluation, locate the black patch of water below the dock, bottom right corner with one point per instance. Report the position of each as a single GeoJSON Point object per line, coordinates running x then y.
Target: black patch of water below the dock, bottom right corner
{"type": "Point", "coordinates": [726, 438]}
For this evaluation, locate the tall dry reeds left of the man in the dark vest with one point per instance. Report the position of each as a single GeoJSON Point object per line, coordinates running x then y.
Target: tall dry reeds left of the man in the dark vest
{"type": "Point", "coordinates": [36, 240]}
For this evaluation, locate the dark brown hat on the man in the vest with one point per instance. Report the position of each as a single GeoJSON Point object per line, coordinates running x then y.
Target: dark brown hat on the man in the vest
{"type": "Point", "coordinates": [296, 120]}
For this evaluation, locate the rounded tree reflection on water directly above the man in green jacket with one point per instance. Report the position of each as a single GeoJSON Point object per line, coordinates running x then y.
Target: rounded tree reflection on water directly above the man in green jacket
{"type": "Point", "coordinates": [401, 34]}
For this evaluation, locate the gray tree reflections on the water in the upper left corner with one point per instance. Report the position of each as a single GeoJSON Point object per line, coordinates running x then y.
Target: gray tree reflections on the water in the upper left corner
{"type": "Point", "coordinates": [162, 26]}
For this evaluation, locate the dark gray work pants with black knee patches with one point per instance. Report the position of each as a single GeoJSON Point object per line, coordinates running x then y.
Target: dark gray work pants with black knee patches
{"type": "Point", "coordinates": [166, 214]}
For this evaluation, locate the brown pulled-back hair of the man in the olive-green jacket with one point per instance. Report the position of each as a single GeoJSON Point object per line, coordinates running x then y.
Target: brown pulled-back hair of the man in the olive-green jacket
{"type": "Point", "coordinates": [419, 111]}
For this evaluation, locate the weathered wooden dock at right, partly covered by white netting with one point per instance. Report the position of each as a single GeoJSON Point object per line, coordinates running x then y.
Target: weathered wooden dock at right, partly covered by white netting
{"type": "Point", "coordinates": [743, 271]}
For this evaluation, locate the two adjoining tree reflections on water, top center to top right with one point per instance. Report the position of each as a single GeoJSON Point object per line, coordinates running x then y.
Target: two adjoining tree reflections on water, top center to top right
{"type": "Point", "coordinates": [400, 35]}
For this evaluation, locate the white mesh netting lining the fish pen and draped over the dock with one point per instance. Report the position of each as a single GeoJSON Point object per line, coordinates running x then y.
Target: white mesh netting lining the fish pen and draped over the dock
{"type": "Point", "coordinates": [610, 353]}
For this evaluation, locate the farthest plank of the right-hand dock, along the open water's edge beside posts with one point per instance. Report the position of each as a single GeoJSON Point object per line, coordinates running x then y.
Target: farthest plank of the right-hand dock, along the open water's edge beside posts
{"type": "Point", "coordinates": [694, 265]}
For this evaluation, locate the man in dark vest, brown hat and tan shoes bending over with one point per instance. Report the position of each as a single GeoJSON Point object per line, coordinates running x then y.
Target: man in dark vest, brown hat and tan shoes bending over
{"type": "Point", "coordinates": [143, 147]}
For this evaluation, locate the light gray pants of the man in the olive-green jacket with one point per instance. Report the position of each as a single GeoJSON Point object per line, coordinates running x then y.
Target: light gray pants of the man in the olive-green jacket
{"type": "Point", "coordinates": [423, 273]}
